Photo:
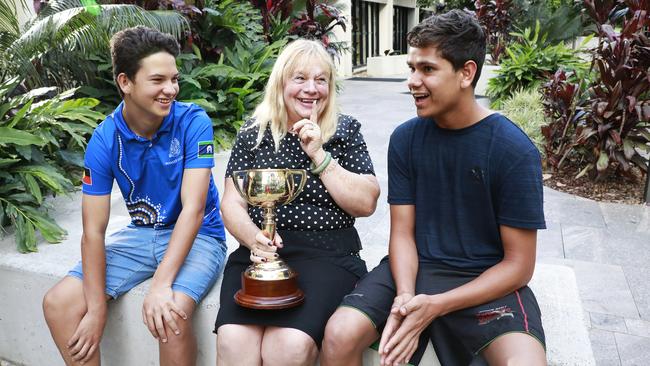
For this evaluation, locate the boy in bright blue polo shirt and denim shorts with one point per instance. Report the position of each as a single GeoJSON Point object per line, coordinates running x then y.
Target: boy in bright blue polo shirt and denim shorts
{"type": "Point", "coordinates": [160, 152]}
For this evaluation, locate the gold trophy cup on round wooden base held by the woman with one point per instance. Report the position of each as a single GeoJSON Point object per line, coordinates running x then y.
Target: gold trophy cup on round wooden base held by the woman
{"type": "Point", "coordinates": [271, 284]}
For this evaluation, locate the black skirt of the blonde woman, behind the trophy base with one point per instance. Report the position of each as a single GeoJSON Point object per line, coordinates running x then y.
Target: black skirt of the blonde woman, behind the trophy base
{"type": "Point", "coordinates": [328, 266]}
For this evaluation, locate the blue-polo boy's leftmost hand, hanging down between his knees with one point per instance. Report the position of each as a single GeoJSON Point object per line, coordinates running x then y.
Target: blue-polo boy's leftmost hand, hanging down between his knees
{"type": "Point", "coordinates": [85, 340]}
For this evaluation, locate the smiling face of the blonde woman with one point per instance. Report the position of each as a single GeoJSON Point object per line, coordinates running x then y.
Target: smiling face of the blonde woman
{"type": "Point", "coordinates": [302, 87]}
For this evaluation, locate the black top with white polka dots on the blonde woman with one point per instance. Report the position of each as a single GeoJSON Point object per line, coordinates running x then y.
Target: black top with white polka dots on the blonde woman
{"type": "Point", "coordinates": [314, 209]}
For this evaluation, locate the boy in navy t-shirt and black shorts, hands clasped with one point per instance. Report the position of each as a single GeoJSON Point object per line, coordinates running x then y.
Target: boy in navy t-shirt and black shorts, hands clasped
{"type": "Point", "coordinates": [465, 194]}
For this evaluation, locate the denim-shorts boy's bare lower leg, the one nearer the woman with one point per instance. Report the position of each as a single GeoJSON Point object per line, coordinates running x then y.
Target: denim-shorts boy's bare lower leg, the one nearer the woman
{"type": "Point", "coordinates": [180, 349]}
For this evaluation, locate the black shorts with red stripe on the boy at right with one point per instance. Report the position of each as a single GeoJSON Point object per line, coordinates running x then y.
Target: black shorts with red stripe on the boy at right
{"type": "Point", "coordinates": [458, 337]}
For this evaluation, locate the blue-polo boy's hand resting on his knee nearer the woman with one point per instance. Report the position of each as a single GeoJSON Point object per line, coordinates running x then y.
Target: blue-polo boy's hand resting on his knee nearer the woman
{"type": "Point", "coordinates": [157, 310]}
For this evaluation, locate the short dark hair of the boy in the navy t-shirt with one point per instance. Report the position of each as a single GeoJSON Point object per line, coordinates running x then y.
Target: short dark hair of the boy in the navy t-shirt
{"type": "Point", "coordinates": [457, 35]}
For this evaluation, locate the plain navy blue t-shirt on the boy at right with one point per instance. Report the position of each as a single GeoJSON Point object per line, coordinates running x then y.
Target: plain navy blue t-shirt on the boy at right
{"type": "Point", "coordinates": [465, 183]}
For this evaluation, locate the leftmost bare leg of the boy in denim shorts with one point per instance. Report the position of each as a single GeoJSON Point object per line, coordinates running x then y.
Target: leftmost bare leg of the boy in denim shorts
{"type": "Point", "coordinates": [64, 307]}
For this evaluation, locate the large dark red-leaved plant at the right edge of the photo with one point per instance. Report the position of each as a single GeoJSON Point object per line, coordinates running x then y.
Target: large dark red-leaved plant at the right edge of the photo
{"type": "Point", "coordinates": [606, 127]}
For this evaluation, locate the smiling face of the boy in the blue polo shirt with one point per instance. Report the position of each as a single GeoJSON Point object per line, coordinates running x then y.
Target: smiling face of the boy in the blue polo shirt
{"type": "Point", "coordinates": [148, 97]}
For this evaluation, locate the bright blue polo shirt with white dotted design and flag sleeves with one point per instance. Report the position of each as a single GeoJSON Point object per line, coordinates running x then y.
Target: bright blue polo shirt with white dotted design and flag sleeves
{"type": "Point", "coordinates": [150, 172]}
